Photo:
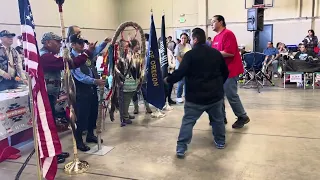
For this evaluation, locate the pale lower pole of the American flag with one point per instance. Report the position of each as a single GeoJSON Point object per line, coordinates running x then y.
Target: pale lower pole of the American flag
{"type": "Point", "coordinates": [35, 129]}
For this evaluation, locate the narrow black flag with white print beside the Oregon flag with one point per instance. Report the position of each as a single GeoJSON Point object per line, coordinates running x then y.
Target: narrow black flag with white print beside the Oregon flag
{"type": "Point", "coordinates": [163, 49]}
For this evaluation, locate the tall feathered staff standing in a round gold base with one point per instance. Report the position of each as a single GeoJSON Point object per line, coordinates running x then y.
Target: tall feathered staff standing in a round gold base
{"type": "Point", "coordinates": [76, 166]}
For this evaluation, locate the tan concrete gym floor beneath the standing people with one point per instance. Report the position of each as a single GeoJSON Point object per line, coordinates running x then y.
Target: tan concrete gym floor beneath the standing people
{"type": "Point", "coordinates": [281, 142]}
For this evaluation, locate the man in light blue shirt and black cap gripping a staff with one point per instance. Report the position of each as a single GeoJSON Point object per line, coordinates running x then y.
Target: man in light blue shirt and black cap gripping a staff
{"type": "Point", "coordinates": [86, 80]}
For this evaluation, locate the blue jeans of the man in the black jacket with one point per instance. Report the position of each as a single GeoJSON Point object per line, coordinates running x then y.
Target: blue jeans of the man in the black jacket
{"type": "Point", "coordinates": [192, 112]}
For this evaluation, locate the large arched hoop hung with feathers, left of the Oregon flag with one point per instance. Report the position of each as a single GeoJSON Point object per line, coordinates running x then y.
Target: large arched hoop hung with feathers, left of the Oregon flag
{"type": "Point", "coordinates": [120, 65]}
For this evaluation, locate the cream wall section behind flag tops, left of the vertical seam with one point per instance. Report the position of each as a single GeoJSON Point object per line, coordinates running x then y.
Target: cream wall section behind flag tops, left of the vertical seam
{"type": "Point", "coordinates": [139, 11]}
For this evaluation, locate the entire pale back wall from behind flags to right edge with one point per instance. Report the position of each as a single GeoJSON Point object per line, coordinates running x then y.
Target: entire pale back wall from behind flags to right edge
{"type": "Point", "coordinates": [288, 26]}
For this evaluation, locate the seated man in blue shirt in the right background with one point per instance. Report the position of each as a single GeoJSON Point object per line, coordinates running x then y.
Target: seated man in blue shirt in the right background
{"type": "Point", "coordinates": [272, 56]}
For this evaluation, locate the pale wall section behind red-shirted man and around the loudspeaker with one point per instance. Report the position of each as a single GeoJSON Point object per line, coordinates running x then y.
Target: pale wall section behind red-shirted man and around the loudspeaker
{"type": "Point", "coordinates": [287, 26]}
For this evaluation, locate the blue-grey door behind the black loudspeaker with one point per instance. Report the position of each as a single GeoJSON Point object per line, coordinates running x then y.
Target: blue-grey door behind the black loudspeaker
{"type": "Point", "coordinates": [264, 37]}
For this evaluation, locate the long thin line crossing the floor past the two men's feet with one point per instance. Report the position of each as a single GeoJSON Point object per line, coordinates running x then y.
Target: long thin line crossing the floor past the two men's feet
{"type": "Point", "coordinates": [231, 132]}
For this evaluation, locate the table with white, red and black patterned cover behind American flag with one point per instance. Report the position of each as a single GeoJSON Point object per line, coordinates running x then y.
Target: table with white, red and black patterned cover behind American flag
{"type": "Point", "coordinates": [15, 115]}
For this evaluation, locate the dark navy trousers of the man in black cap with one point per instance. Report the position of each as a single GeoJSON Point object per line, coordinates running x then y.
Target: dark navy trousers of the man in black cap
{"type": "Point", "coordinates": [87, 113]}
